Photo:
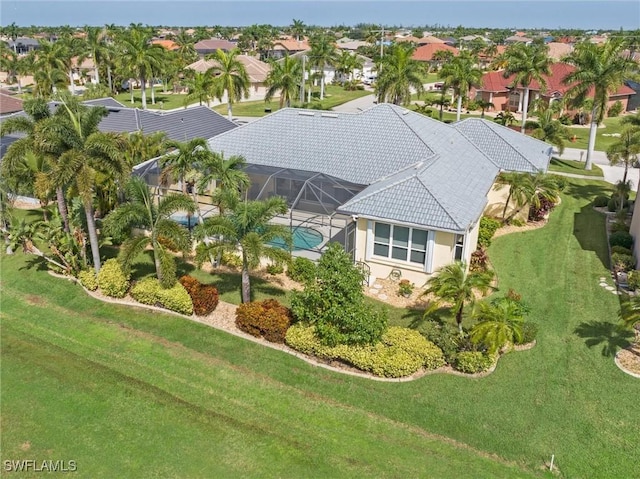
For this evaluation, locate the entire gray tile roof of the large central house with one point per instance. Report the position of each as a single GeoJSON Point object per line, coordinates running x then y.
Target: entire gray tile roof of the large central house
{"type": "Point", "coordinates": [417, 170]}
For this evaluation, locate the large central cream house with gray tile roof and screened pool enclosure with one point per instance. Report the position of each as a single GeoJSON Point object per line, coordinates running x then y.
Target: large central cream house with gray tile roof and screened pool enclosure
{"type": "Point", "coordinates": [401, 191]}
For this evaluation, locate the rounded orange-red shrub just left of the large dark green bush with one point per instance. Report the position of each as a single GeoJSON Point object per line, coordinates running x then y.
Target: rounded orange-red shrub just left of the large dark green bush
{"type": "Point", "coordinates": [268, 319]}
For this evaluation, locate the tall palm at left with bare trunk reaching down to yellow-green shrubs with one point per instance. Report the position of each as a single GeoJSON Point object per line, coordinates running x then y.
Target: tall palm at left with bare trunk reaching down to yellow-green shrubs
{"type": "Point", "coordinates": [87, 151]}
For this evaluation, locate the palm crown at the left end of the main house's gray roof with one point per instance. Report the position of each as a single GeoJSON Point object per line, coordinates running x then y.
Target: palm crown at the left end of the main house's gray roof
{"type": "Point", "coordinates": [177, 164]}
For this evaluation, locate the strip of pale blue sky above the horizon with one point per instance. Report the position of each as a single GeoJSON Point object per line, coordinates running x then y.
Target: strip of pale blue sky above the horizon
{"type": "Point", "coordinates": [584, 14]}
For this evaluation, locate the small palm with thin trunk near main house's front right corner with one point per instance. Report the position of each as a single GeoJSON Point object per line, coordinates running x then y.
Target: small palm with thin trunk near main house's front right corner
{"type": "Point", "coordinates": [456, 285]}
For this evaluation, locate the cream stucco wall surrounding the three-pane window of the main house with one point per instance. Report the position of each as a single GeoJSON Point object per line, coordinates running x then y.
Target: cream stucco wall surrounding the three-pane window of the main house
{"type": "Point", "coordinates": [443, 254]}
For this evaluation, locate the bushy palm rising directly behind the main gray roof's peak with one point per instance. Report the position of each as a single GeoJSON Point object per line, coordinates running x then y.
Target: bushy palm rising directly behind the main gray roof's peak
{"type": "Point", "coordinates": [400, 76]}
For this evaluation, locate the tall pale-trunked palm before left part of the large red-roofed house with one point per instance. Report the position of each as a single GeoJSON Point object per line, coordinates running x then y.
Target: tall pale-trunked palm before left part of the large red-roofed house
{"type": "Point", "coordinates": [527, 63]}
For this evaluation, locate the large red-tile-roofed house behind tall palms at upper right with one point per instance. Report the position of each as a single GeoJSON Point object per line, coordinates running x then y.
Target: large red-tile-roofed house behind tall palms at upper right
{"type": "Point", "coordinates": [498, 90]}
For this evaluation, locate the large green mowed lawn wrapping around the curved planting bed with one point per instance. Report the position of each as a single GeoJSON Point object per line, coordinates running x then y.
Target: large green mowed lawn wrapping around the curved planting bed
{"type": "Point", "coordinates": [129, 393]}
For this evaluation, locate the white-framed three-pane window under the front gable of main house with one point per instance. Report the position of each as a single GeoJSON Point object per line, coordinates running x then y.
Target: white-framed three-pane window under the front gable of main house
{"type": "Point", "coordinates": [400, 243]}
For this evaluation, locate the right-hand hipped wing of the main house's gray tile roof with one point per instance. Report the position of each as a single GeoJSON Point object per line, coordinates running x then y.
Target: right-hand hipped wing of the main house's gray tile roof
{"type": "Point", "coordinates": [509, 149]}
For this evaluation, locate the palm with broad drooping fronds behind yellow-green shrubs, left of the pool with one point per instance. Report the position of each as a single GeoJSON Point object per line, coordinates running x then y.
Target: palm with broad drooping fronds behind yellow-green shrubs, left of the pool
{"type": "Point", "coordinates": [166, 236]}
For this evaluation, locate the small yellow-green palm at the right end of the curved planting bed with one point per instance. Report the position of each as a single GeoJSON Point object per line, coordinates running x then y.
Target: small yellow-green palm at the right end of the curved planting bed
{"type": "Point", "coordinates": [500, 323]}
